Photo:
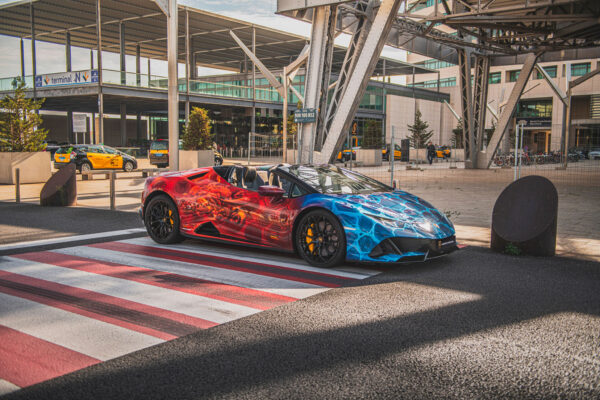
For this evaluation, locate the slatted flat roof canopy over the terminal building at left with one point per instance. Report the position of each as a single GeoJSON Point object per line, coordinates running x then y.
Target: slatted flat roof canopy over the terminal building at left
{"type": "Point", "coordinates": [145, 25]}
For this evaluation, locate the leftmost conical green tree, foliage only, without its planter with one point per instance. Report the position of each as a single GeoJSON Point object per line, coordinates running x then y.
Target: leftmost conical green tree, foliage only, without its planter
{"type": "Point", "coordinates": [19, 122]}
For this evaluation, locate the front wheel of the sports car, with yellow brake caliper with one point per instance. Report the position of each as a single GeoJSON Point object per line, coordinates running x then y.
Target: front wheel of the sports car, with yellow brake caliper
{"type": "Point", "coordinates": [320, 239]}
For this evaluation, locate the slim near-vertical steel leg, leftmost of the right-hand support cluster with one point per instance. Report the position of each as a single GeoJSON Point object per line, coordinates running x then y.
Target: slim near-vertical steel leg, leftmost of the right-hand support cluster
{"type": "Point", "coordinates": [464, 69]}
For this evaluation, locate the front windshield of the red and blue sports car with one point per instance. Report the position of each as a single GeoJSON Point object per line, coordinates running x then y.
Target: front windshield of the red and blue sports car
{"type": "Point", "coordinates": [328, 179]}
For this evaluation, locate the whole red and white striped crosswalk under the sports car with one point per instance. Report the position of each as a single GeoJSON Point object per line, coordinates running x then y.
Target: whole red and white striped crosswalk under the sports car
{"type": "Point", "coordinates": [92, 303]}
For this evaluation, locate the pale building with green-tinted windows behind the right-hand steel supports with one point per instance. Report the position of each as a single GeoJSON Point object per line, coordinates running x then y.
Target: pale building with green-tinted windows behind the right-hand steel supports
{"type": "Point", "coordinates": [539, 105]}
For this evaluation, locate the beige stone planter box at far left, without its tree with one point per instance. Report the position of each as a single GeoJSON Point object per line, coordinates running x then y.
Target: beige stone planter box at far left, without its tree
{"type": "Point", "coordinates": [34, 167]}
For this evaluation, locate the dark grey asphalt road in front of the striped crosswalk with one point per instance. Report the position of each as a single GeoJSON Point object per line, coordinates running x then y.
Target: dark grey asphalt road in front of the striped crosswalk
{"type": "Point", "coordinates": [472, 325]}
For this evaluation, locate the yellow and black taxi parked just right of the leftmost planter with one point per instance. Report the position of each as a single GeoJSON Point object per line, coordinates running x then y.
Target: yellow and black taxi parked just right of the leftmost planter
{"type": "Point", "coordinates": [93, 156]}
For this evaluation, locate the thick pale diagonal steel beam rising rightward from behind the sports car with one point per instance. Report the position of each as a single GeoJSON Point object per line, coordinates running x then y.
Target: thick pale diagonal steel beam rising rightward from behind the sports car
{"type": "Point", "coordinates": [359, 78]}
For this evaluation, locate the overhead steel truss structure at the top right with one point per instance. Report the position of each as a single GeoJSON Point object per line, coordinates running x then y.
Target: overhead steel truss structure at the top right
{"type": "Point", "coordinates": [504, 29]}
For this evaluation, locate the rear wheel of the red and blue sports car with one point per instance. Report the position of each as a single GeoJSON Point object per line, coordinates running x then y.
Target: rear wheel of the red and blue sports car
{"type": "Point", "coordinates": [162, 220]}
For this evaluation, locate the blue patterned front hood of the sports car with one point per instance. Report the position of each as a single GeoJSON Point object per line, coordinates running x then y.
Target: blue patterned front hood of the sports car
{"type": "Point", "coordinates": [401, 212]}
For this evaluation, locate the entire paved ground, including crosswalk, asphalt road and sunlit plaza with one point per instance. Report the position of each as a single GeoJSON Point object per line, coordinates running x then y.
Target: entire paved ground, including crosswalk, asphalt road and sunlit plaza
{"type": "Point", "coordinates": [475, 324]}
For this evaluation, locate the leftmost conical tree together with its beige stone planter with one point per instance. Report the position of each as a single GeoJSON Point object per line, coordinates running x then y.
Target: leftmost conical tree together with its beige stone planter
{"type": "Point", "coordinates": [21, 141]}
